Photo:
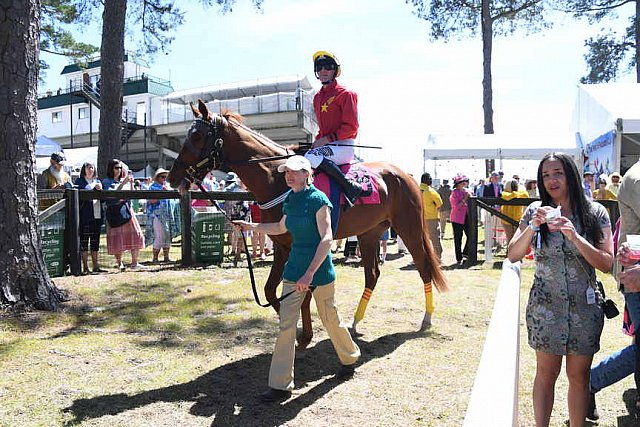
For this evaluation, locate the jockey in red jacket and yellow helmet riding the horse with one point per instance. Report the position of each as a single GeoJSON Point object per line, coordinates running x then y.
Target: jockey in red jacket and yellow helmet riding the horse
{"type": "Point", "coordinates": [336, 111]}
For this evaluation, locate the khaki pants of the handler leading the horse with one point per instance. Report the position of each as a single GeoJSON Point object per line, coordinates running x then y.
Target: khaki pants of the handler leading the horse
{"type": "Point", "coordinates": [281, 372]}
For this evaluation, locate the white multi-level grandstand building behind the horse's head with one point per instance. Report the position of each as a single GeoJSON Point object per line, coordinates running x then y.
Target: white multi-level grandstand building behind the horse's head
{"type": "Point", "coordinates": [155, 117]}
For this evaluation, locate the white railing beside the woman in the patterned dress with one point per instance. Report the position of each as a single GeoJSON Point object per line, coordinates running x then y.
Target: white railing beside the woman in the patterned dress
{"type": "Point", "coordinates": [494, 398]}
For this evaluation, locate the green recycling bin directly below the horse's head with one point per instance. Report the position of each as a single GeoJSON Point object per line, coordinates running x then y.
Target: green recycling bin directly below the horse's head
{"type": "Point", "coordinates": [207, 232]}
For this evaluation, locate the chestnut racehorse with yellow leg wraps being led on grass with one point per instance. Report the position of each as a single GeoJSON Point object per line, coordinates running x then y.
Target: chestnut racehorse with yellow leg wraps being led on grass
{"type": "Point", "coordinates": [224, 142]}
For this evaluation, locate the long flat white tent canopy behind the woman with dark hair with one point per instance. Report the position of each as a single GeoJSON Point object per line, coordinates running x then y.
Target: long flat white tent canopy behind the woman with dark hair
{"type": "Point", "coordinates": [499, 146]}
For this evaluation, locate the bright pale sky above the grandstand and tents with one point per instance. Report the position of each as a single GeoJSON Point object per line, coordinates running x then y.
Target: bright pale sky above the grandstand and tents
{"type": "Point", "coordinates": [408, 87]}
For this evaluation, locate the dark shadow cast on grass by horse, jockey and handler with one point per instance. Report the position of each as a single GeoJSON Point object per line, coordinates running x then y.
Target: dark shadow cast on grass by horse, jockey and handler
{"type": "Point", "coordinates": [230, 392]}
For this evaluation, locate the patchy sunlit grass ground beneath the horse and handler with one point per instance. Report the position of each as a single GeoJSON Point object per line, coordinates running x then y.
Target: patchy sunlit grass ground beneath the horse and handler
{"type": "Point", "coordinates": [191, 348]}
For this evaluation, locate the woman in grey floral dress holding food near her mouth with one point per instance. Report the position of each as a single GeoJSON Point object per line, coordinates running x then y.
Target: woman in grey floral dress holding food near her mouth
{"type": "Point", "coordinates": [571, 237]}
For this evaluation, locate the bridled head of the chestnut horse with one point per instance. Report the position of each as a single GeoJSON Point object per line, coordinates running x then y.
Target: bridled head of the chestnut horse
{"type": "Point", "coordinates": [201, 150]}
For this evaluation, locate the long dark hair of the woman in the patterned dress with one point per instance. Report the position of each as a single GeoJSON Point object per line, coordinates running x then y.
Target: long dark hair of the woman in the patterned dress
{"type": "Point", "coordinates": [580, 206]}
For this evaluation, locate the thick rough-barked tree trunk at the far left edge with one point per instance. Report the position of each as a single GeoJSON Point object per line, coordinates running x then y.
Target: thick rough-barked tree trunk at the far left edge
{"type": "Point", "coordinates": [23, 274]}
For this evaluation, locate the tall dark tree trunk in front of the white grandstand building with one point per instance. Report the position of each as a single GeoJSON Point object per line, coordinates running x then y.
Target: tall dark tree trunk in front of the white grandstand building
{"type": "Point", "coordinates": [112, 75]}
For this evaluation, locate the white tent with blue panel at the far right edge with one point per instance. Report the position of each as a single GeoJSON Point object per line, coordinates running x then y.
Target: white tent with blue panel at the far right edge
{"type": "Point", "coordinates": [606, 120]}
